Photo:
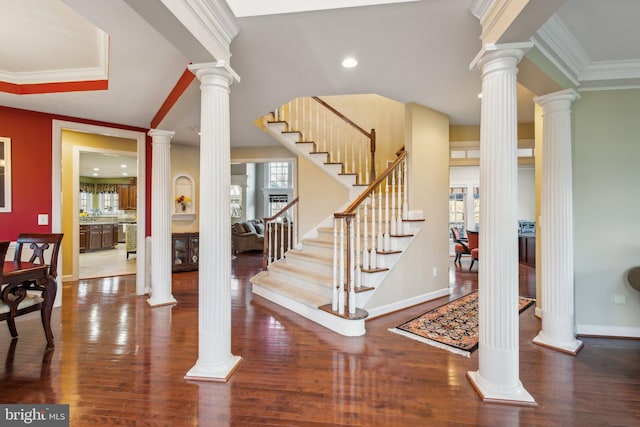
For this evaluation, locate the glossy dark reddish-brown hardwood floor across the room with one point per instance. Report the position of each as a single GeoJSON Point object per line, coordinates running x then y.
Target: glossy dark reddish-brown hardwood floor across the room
{"type": "Point", "coordinates": [119, 362]}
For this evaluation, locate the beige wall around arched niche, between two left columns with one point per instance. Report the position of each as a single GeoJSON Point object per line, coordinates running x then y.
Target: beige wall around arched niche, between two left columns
{"type": "Point", "coordinates": [185, 160]}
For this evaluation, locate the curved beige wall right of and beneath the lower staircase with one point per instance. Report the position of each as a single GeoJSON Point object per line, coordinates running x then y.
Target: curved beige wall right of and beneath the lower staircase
{"type": "Point", "coordinates": [427, 144]}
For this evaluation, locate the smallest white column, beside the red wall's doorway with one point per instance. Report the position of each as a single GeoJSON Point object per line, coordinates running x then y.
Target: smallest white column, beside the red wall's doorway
{"type": "Point", "coordinates": [161, 204]}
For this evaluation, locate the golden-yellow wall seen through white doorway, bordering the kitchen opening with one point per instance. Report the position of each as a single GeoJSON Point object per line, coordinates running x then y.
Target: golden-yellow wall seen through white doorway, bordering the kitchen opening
{"type": "Point", "coordinates": [71, 139]}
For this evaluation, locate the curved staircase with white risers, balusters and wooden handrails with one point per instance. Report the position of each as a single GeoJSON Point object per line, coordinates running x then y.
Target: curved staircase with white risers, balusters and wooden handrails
{"type": "Point", "coordinates": [334, 271]}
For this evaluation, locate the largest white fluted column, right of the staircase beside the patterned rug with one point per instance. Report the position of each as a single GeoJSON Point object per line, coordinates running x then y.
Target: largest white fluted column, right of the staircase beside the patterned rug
{"type": "Point", "coordinates": [497, 378]}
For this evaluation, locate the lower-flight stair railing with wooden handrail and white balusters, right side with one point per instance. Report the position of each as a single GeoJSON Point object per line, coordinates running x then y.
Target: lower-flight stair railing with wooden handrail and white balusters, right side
{"type": "Point", "coordinates": [354, 226]}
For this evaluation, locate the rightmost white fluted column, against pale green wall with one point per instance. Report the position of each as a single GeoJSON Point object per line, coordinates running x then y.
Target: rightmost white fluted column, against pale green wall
{"type": "Point", "coordinates": [556, 228]}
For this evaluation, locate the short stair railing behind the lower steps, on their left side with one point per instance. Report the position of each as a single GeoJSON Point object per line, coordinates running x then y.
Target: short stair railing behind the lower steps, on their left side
{"type": "Point", "coordinates": [280, 233]}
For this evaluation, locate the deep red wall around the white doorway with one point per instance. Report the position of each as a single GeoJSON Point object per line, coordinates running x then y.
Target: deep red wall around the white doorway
{"type": "Point", "coordinates": [30, 134]}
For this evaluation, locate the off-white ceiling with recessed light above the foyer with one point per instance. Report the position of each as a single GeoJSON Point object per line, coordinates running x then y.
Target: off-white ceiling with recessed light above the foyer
{"type": "Point", "coordinates": [414, 51]}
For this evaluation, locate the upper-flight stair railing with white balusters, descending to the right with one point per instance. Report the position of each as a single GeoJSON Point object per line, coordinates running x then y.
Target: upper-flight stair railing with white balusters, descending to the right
{"type": "Point", "coordinates": [344, 141]}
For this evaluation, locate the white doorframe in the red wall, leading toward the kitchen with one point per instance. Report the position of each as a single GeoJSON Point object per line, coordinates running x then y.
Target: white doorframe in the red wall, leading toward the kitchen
{"type": "Point", "coordinates": [56, 194]}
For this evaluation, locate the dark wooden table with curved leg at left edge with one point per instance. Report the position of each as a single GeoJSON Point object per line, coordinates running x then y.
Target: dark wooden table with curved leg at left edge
{"type": "Point", "coordinates": [31, 276]}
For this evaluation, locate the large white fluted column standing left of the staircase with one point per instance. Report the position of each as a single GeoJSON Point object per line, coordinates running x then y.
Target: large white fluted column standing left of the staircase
{"type": "Point", "coordinates": [215, 361]}
